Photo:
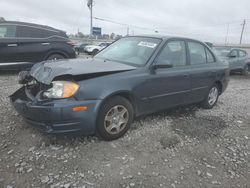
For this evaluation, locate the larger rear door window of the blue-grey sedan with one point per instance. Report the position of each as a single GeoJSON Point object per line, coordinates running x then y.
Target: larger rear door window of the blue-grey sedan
{"type": "Point", "coordinates": [197, 53]}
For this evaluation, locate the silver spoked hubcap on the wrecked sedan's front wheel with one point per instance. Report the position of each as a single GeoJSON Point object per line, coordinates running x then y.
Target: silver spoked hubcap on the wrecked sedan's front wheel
{"type": "Point", "coordinates": [116, 119]}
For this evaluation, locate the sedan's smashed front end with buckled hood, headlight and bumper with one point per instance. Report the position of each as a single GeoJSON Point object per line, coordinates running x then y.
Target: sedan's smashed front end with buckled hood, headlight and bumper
{"type": "Point", "coordinates": [48, 98]}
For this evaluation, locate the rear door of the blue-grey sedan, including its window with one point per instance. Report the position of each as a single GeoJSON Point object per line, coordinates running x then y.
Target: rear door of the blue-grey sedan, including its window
{"type": "Point", "coordinates": [203, 74]}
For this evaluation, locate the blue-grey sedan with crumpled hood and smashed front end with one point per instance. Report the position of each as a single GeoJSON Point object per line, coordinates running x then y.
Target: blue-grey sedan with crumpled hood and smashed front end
{"type": "Point", "coordinates": [133, 76]}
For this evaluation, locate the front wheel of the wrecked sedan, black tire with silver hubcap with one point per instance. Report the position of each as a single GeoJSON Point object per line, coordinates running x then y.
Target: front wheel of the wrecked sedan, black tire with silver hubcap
{"type": "Point", "coordinates": [114, 118]}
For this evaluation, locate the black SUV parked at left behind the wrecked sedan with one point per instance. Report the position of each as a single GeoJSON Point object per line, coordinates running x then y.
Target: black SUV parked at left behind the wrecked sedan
{"type": "Point", "coordinates": [23, 44]}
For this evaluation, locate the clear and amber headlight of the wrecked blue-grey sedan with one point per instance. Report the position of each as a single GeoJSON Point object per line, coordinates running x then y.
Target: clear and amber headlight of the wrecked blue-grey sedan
{"type": "Point", "coordinates": [61, 89]}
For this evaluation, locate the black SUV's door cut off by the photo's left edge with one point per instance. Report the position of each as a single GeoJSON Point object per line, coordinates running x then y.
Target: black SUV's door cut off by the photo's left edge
{"type": "Point", "coordinates": [8, 44]}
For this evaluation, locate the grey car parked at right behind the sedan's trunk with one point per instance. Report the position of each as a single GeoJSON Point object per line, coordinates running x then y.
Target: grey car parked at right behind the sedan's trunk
{"type": "Point", "coordinates": [239, 60]}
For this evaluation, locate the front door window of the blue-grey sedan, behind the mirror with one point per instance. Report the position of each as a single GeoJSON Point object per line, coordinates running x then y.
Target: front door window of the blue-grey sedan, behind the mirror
{"type": "Point", "coordinates": [174, 53]}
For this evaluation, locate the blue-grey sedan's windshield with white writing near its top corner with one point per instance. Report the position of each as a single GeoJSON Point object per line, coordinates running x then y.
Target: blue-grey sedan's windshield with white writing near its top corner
{"type": "Point", "coordinates": [131, 50]}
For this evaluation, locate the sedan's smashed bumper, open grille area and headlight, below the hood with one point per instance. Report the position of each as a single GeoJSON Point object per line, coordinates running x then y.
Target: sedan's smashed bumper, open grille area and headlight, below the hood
{"type": "Point", "coordinates": [50, 107]}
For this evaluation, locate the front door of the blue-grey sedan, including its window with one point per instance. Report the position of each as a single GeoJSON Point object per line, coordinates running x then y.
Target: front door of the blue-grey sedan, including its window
{"type": "Point", "coordinates": [169, 85]}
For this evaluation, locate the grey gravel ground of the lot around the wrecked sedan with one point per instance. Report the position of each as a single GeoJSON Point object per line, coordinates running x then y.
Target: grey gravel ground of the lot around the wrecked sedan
{"type": "Point", "coordinates": [184, 147]}
